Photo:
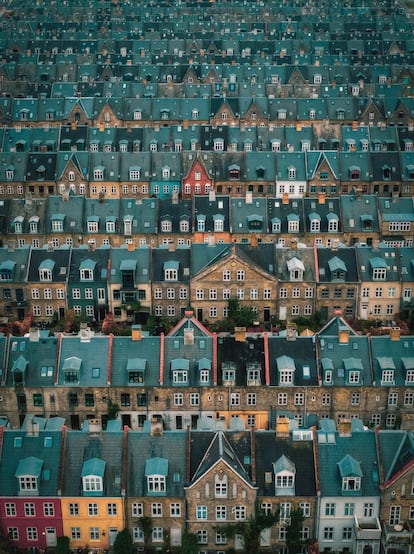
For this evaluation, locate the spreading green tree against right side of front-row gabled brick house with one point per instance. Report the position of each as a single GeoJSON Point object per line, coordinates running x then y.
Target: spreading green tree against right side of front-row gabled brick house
{"type": "Point", "coordinates": [251, 529]}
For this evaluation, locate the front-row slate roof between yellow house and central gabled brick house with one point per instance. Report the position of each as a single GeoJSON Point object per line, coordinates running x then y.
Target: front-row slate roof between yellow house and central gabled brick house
{"type": "Point", "coordinates": [143, 446]}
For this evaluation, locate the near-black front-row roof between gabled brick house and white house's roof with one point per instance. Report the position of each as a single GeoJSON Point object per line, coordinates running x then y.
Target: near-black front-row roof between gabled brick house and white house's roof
{"type": "Point", "coordinates": [269, 448]}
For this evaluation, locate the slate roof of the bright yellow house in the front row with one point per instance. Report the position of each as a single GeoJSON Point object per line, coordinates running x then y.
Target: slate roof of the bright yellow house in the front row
{"type": "Point", "coordinates": [81, 446]}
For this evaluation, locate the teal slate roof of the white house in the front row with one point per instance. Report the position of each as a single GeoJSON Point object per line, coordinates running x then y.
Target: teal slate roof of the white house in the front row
{"type": "Point", "coordinates": [361, 446]}
